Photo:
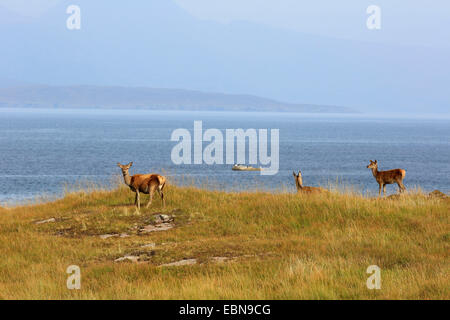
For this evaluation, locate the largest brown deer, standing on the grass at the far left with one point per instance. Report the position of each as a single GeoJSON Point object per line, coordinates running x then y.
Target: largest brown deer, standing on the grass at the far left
{"type": "Point", "coordinates": [145, 183]}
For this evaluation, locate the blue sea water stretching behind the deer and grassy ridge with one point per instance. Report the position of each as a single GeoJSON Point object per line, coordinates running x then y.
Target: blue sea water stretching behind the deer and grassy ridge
{"type": "Point", "coordinates": [42, 151]}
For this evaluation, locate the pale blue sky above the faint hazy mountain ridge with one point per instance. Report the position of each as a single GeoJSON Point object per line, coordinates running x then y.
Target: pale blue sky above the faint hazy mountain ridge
{"type": "Point", "coordinates": [416, 22]}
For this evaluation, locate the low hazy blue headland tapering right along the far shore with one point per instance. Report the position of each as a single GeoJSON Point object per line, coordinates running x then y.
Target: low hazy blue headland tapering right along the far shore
{"type": "Point", "coordinates": [146, 98]}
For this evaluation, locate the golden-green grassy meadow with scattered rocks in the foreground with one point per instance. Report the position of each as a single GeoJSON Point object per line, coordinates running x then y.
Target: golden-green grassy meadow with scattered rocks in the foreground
{"type": "Point", "coordinates": [247, 245]}
